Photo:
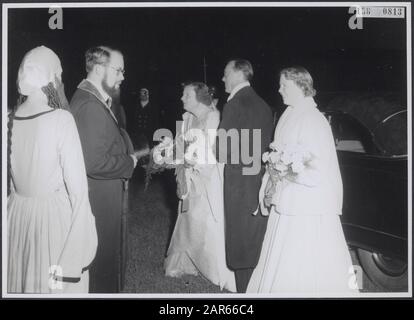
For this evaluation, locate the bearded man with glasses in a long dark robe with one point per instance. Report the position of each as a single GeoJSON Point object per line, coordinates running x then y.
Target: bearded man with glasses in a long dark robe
{"type": "Point", "coordinates": [109, 157]}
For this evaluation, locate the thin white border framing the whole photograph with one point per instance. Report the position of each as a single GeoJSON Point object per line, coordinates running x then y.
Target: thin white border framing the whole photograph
{"type": "Point", "coordinates": [7, 6]}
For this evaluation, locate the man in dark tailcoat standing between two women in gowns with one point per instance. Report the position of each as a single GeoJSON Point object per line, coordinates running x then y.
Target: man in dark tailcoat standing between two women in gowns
{"type": "Point", "coordinates": [244, 111]}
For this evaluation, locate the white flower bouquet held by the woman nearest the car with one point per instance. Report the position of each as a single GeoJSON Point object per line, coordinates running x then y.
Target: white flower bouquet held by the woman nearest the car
{"type": "Point", "coordinates": [283, 162]}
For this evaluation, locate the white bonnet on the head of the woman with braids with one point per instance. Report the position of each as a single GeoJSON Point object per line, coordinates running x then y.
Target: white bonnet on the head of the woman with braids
{"type": "Point", "coordinates": [39, 67]}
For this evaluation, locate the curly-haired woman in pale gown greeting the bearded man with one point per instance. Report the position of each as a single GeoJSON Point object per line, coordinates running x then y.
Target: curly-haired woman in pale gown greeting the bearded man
{"type": "Point", "coordinates": [197, 243]}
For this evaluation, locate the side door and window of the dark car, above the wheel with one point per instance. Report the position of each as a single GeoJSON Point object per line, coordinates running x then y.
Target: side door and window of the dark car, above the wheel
{"type": "Point", "coordinates": [375, 190]}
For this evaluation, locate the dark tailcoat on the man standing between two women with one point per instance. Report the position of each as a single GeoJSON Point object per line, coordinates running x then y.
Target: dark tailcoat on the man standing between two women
{"type": "Point", "coordinates": [244, 232]}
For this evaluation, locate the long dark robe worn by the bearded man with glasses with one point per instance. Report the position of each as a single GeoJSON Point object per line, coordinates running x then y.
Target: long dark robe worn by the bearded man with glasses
{"type": "Point", "coordinates": [108, 164]}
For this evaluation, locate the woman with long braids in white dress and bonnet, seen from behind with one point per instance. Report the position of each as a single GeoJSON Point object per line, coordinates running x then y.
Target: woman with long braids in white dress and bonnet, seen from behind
{"type": "Point", "coordinates": [51, 233]}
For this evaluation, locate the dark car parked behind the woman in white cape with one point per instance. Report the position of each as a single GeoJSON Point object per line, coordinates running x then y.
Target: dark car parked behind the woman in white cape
{"type": "Point", "coordinates": [374, 168]}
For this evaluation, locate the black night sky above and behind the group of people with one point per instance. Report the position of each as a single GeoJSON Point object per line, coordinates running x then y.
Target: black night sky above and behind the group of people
{"type": "Point", "coordinates": [165, 46]}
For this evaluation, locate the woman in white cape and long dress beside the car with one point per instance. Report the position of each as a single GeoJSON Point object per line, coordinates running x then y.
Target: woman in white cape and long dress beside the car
{"type": "Point", "coordinates": [304, 249]}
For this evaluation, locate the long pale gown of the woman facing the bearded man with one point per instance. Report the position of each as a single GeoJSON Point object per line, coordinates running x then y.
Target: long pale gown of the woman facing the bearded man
{"type": "Point", "coordinates": [197, 245]}
